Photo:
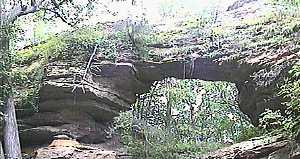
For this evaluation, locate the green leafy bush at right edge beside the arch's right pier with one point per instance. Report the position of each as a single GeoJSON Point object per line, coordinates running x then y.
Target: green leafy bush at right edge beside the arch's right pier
{"type": "Point", "coordinates": [288, 121]}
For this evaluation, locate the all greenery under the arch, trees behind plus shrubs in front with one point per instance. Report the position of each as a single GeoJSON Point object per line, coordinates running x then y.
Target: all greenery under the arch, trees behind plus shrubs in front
{"type": "Point", "coordinates": [180, 119]}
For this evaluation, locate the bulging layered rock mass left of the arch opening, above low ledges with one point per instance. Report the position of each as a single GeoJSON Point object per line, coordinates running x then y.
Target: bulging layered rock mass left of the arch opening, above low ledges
{"type": "Point", "coordinates": [101, 94]}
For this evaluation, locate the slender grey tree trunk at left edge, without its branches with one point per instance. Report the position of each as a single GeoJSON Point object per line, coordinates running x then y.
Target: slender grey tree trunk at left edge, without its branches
{"type": "Point", "coordinates": [12, 147]}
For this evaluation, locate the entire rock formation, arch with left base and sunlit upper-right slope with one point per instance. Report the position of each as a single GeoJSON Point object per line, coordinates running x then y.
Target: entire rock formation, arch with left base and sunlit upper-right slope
{"type": "Point", "coordinates": [74, 101]}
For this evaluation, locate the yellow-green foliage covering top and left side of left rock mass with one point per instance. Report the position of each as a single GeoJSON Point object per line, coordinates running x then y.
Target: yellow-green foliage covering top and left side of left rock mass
{"type": "Point", "coordinates": [28, 71]}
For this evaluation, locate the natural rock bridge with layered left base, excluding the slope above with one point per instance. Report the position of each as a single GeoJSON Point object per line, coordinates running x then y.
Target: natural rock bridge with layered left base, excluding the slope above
{"type": "Point", "coordinates": [111, 88]}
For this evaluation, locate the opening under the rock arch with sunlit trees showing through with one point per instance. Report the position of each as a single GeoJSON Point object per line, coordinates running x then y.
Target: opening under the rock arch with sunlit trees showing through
{"type": "Point", "coordinates": [186, 111]}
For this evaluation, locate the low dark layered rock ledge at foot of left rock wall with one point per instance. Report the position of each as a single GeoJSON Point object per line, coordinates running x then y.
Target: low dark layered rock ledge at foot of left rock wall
{"type": "Point", "coordinates": [43, 126]}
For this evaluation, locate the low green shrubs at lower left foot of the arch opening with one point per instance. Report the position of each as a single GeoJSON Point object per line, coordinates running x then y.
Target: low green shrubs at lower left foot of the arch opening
{"type": "Point", "coordinates": [159, 142]}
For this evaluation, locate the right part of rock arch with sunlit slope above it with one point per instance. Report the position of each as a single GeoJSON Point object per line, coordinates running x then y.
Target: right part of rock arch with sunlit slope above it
{"type": "Point", "coordinates": [245, 52]}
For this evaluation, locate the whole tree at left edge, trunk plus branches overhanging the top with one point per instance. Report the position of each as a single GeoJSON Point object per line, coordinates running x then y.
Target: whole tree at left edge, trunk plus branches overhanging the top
{"type": "Point", "coordinates": [68, 11]}
